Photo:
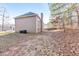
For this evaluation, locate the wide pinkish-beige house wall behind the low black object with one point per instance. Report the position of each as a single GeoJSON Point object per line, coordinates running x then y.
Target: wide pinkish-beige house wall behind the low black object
{"type": "Point", "coordinates": [28, 23]}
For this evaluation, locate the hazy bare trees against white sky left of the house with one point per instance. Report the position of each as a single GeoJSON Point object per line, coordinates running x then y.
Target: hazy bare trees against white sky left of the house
{"type": "Point", "coordinates": [4, 20]}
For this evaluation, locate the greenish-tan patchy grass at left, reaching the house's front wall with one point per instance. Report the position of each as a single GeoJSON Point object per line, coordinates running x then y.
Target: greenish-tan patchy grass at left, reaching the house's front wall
{"type": "Point", "coordinates": [8, 39]}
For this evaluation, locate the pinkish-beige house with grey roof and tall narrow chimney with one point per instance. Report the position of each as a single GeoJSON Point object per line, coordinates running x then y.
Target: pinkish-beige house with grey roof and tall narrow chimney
{"type": "Point", "coordinates": [29, 21]}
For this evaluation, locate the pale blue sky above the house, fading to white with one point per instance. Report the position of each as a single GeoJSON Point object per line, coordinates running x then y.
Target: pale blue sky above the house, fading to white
{"type": "Point", "coordinates": [16, 9]}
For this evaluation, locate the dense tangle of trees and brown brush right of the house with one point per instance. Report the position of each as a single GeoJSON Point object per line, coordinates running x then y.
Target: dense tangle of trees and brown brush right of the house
{"type": "Point", "coordinates": [65, 15]}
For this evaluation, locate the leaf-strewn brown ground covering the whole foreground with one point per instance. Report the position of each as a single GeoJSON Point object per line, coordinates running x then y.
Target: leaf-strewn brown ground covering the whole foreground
{"type": "Point", "coordinates": [50, 43]}
